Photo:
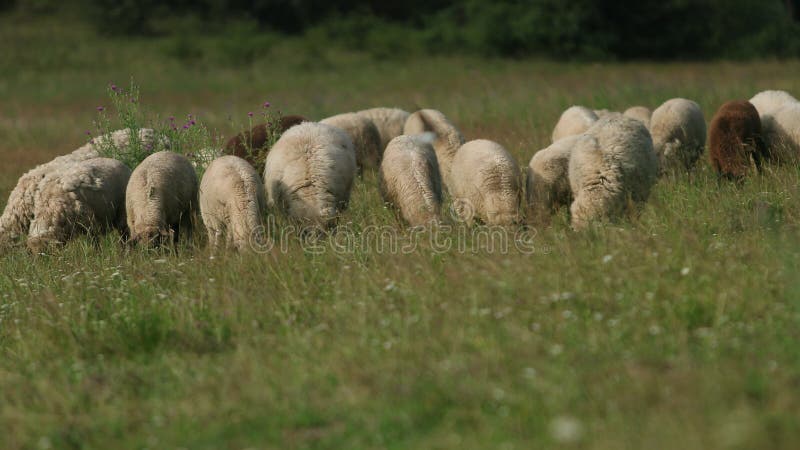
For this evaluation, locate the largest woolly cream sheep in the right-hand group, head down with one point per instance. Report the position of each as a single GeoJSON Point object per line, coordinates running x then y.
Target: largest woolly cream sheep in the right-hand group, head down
{"type": "Point", "coordinates": [612, 164]}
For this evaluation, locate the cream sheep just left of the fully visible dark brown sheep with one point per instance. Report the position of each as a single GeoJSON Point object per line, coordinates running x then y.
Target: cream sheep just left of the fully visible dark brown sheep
{"type": "Point", "coordinates": [678, 130]}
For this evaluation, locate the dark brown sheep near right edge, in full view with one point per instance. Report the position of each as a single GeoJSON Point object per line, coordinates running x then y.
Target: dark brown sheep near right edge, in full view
{"type": "Point", "coordinates": [735, 138]}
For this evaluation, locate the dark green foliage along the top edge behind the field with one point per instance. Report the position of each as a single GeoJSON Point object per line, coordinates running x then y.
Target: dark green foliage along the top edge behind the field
{"type": "Point", "coordinates": [577, 29]}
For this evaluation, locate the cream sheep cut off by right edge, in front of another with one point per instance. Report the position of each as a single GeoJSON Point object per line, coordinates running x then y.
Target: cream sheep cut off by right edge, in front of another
{"type": "Point", "coordinates": [781, 132]}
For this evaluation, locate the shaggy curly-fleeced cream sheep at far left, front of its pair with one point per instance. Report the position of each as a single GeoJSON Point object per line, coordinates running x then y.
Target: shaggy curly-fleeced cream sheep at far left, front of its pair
{"type": "Point", "coordinates": [78, 198]}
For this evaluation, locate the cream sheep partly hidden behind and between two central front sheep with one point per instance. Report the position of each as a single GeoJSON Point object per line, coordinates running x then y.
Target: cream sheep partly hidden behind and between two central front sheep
{"type": "Point", "coordinates": [447, 142]}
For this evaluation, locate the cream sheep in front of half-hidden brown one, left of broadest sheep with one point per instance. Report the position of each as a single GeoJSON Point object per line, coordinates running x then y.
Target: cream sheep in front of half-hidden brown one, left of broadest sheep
{"type": "Point", "coordinates": [232, 202]}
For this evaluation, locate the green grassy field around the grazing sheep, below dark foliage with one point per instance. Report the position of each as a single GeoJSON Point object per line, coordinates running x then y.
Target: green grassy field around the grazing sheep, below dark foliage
{"type": "Point", "coordinates": [678, 330]}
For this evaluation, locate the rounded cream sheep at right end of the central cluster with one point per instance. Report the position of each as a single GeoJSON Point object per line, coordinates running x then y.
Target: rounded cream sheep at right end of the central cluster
{"type": "Point", "coordinates": [486, 184]}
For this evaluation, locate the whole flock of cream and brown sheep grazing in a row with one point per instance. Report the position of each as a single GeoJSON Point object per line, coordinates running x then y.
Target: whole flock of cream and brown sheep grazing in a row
{"type": "Point", "coordinates": [600, 163]}
